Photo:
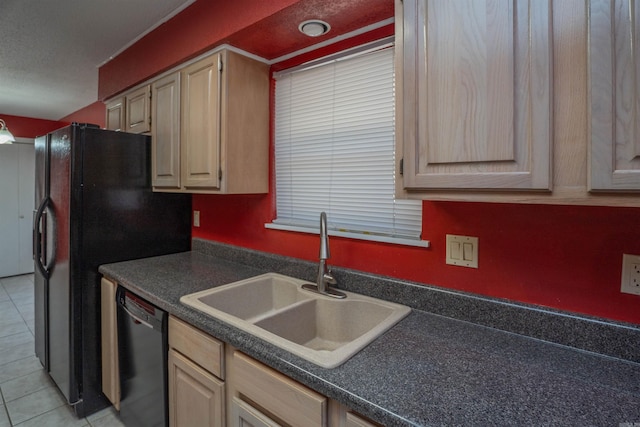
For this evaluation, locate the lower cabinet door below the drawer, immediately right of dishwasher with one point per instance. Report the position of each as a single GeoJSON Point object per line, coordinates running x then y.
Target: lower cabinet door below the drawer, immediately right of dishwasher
{"type": "Point", "coordinates": [196, 397]}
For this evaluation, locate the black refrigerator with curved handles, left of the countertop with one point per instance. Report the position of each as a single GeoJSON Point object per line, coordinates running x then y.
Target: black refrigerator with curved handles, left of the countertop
{"type": "Point", "coordinates": [94, 205]}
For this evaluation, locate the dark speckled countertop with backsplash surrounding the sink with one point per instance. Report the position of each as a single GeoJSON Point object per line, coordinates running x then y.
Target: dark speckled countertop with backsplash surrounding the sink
{"type": "Point", "coordinates": [429, 369]}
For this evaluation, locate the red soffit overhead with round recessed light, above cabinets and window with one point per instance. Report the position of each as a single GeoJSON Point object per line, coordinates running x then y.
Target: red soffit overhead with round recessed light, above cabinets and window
{"type": "Point", "coordinates": [268, 29]}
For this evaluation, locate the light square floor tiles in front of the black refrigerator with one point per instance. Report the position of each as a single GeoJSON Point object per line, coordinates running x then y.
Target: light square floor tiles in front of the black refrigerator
{"type": "Point", "coordinates": [28, 397]}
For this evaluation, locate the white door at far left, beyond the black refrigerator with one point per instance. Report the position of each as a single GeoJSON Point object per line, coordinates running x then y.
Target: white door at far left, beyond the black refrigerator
{"type": "Point", "coordinates": [17, 182]}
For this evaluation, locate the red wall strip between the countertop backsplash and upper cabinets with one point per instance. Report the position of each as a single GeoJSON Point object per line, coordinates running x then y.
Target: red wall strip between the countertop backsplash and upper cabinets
{"type": "Point", "coordinates": [566, 257]}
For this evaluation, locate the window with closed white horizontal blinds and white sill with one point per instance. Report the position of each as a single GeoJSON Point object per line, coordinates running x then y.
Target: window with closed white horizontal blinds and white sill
{"type": "Point", "coordinates": [335, 150]}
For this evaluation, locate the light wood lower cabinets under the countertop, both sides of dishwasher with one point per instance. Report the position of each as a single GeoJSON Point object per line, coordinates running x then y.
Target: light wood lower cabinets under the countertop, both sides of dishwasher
{"type": "Point", "coordinates": [212, 384]}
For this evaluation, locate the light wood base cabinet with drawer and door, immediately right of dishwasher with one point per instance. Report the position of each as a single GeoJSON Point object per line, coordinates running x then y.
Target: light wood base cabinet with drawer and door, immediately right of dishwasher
{"type": "Point", "coordinates": [196, 373]}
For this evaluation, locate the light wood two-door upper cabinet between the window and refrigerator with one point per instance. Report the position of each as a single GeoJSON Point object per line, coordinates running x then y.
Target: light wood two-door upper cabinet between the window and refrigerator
{"type": "Point", "coordinates": [222, 138]}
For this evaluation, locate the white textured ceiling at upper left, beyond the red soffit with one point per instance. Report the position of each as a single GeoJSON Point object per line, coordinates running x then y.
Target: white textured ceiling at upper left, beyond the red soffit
{"type": "Point", "coordinates": [50, 50]}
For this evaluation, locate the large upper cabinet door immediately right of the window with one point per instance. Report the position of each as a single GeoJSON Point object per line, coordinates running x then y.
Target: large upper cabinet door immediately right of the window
{"type": "Point", "coordinates": [476, 109]}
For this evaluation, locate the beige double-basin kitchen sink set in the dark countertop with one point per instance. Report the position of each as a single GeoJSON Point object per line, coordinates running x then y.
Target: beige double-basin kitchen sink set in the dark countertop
{"type": "Point", "coordinates": [318, 328]}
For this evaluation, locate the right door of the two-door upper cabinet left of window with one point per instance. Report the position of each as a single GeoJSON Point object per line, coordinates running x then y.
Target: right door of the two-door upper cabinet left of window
{"type": "Point", "coordinates": [200, 133]}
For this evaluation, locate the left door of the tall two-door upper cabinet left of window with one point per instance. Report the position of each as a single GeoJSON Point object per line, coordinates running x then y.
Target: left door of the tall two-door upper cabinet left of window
{"type": "Point", "coordinates": [165, 132]}
